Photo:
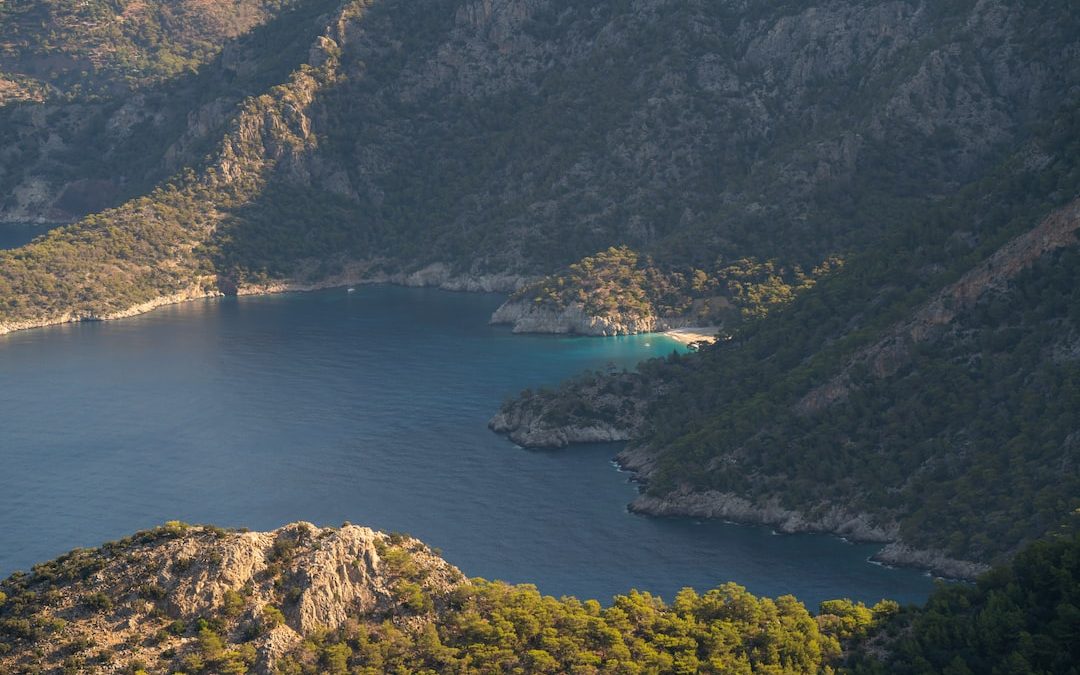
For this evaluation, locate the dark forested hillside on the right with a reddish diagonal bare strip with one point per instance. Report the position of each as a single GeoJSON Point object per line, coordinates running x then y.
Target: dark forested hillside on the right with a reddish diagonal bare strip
{"type": "Point", "coordinates": [925, 396]}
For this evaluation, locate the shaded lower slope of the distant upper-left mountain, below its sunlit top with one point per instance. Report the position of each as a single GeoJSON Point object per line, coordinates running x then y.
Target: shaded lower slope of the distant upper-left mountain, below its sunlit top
{"type": "Point", "coordinates": [75, 155]}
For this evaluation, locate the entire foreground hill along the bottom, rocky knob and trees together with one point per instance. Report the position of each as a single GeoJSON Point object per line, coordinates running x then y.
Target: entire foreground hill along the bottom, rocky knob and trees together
{"type": "Point", "coordinates": [184, 599]}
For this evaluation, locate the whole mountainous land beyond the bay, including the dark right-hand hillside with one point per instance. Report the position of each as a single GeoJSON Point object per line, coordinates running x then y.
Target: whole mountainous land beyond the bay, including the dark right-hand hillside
{"type": "Point", "coordinates": [873, 200]}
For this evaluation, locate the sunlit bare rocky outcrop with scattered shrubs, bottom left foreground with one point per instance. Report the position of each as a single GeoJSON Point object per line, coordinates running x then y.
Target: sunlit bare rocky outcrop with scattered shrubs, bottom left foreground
{"type": "Point", "coordinates": [155, 601]}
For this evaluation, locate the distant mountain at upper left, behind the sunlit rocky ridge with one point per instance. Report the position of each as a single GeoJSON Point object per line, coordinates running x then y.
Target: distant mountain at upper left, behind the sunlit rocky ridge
{"type": "Point", "coordinates": [117, 117]}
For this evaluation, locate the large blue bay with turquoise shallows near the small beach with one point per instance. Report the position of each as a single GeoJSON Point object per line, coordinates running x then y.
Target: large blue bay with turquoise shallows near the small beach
{"type": "Point", "coordinates": [369, 408]}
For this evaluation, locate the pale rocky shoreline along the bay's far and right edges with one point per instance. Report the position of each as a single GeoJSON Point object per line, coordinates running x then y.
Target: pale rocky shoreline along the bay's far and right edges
{"type": "Point", "coordinates": [524, 427]}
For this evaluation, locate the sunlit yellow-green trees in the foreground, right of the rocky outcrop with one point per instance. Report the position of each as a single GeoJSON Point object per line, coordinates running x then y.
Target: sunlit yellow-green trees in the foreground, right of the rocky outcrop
{"type": "Point", "coordinates": [491, 627]}
